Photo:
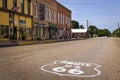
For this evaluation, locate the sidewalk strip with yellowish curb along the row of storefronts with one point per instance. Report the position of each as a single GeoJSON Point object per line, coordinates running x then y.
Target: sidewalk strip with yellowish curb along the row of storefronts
{"type": "Point", "coordinates": [8, 43]}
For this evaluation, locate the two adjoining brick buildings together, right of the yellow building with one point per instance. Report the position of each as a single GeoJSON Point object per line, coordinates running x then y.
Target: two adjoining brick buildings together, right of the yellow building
{"type": "Point", "coordinates": [49, 19]}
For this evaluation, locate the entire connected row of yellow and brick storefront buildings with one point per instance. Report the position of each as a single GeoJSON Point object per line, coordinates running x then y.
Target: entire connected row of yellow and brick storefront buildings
{"type": "Point", "coordinates": [34, 19]}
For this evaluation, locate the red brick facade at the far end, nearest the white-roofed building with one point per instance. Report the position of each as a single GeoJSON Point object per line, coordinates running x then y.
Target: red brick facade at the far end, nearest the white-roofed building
{"type": "Point", "coordinates": [63, 21]}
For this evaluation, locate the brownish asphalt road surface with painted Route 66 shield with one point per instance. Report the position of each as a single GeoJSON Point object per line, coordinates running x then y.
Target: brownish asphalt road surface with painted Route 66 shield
{"type": "Point", "coordinates": [90, 59]}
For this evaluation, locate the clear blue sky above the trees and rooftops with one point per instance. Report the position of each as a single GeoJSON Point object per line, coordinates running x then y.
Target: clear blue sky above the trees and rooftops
{"type": "Point", "coordinates": [104, 14]}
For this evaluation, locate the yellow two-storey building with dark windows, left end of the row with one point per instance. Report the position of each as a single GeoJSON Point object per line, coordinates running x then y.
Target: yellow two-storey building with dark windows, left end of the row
{"type": "Point", "coordinates": [16, 19]}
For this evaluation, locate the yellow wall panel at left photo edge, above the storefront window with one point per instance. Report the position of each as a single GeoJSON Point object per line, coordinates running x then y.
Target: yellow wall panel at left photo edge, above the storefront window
{"type": "Point", "coordinates": [4, 18]}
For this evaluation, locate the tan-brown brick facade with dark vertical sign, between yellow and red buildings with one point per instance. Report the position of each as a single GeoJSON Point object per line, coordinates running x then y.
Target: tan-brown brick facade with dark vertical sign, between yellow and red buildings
{"type": "Point", "coordinates": [45, 19]}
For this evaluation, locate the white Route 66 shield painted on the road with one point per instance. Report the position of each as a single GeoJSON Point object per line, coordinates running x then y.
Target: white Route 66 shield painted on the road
{"type": "Point", "coordinates": [72, 68]}
